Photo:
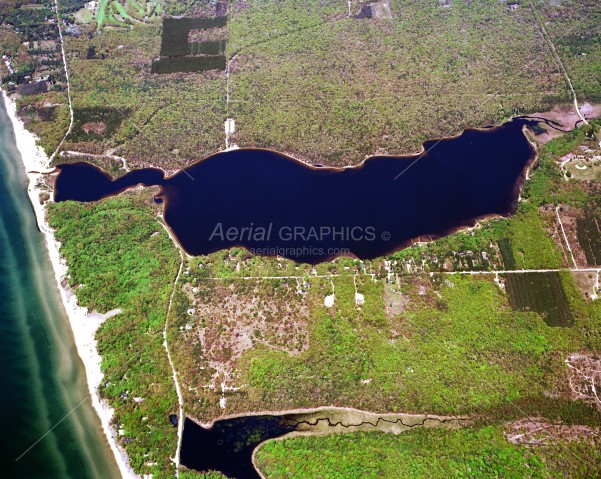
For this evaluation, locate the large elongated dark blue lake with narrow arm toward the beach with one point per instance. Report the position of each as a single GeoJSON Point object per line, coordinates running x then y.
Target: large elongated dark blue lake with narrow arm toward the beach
{"type": "Point", "coordinates": [275, 205]}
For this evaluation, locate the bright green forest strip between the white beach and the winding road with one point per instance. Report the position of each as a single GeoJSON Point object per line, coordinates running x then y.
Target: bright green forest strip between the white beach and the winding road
{"type": "Point", "coordinates": [120, 256]}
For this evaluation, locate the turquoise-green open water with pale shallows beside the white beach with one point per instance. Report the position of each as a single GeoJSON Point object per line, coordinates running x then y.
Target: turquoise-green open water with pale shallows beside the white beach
{"type": "Point", "coordinates": [42, 378]}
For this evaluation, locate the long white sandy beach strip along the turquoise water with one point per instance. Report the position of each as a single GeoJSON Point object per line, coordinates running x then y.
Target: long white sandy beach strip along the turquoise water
{"type": "Point", "coordinates": [83, 324]}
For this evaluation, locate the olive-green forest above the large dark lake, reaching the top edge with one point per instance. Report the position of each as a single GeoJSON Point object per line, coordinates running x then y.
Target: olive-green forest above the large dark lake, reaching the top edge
{"type": "Point", "coordinates": [307, 79]}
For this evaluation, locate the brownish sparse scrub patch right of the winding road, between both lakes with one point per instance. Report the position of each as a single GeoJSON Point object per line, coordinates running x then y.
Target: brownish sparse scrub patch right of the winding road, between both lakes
{"type": "Point", "coordinates": [228, 318]}
